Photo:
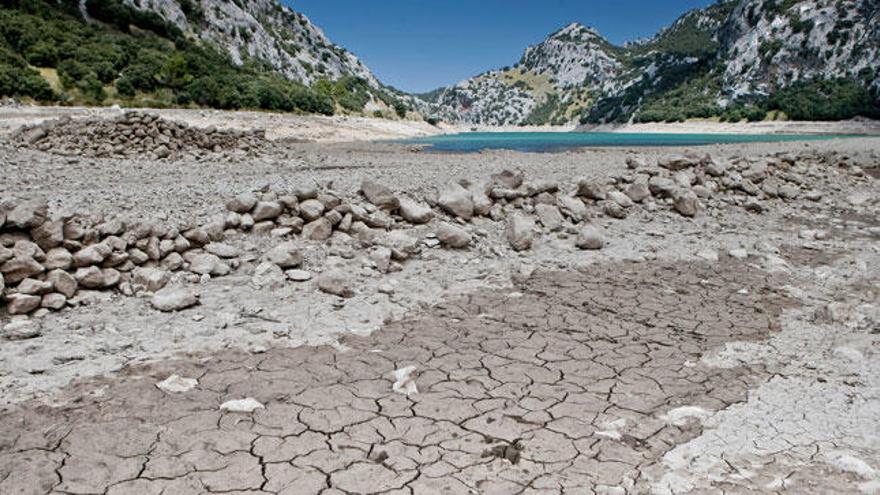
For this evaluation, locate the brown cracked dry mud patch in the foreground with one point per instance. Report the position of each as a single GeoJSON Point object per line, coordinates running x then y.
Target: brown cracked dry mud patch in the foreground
{"type": "Point", "coordinates": [579, 382]}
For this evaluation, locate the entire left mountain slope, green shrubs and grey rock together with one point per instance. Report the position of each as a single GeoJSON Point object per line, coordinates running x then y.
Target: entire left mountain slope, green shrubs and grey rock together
{"type": "Point", "coordinates": [215, 53]}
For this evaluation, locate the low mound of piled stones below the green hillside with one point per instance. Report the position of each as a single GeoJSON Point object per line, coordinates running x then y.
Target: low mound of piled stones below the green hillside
{"type": "Point", "coordinates": [133, 134]}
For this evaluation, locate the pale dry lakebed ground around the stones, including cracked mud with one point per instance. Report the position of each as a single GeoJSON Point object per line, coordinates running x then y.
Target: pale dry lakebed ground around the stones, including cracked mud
{"type": "Point", "coordinates": [735, 349]}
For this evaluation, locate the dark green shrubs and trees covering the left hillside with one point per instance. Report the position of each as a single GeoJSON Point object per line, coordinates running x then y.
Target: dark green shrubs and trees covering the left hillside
{"type": "Point", "coordinates": [135, 57]}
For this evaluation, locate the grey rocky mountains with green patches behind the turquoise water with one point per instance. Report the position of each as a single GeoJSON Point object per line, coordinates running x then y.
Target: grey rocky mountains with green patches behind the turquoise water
{"type": "Point", "coordinates": [733, 59]}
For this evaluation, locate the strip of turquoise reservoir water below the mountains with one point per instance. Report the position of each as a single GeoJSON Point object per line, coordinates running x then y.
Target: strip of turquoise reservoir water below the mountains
{"type": "Point", "coordinates": [556, 141]}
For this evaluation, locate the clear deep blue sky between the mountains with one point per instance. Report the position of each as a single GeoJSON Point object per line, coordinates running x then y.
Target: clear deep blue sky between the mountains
{"type": "Point", "coordinates": [420, 45]}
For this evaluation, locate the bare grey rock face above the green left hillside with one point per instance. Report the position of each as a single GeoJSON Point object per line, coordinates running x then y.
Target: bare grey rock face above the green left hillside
{"type": "Point", "coordinates": [263, 30]}
